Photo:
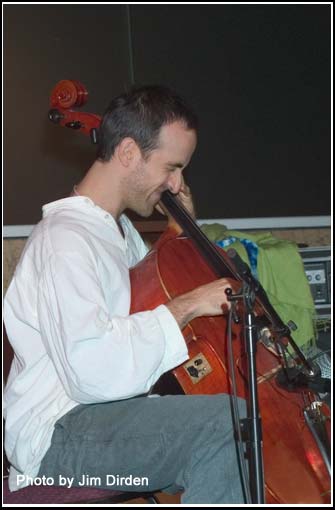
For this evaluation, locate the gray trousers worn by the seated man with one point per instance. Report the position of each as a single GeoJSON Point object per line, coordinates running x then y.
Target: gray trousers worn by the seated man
{"type": "Point", "coordinates": [171, 443]}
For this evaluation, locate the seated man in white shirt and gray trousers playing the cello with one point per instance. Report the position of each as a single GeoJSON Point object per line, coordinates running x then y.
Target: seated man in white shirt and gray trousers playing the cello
{"type": "Point", "coordinates": [76, 401]}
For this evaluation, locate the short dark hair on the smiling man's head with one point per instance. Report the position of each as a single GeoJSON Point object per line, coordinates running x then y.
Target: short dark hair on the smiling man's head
{"type": "Point", "coordinates": [140, 114]}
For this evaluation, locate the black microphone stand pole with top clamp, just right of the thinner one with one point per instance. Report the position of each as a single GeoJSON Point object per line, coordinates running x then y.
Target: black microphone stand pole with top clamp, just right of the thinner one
{"type": "Point", "coordinates": [252, 424]}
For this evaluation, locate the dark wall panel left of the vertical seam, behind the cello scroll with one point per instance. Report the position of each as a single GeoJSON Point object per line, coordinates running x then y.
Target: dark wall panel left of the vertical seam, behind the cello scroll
{"type": "Point", "coordinates": [43, 45]}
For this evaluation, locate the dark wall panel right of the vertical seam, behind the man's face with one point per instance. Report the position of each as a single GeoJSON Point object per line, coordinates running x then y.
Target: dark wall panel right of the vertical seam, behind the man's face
{"type": "Point", "coordinates": [259, 78]}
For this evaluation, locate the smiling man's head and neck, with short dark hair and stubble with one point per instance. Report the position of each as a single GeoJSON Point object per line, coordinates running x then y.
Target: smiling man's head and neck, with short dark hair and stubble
{"type": "Point", "coordinates": [146, 139]}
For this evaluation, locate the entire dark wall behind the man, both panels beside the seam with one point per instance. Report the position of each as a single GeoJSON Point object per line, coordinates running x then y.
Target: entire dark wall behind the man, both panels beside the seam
{"type": "Point", "coordinates": [258, 76]}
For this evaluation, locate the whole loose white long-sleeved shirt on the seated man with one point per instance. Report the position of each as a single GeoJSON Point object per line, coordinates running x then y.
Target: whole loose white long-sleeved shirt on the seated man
{"type": "Point", "coordinates": [67, 317]}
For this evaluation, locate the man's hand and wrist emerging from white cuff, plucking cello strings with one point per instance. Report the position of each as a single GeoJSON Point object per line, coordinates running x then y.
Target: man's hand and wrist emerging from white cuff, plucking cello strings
{"type": "Point", "coordinates": [207, 300]}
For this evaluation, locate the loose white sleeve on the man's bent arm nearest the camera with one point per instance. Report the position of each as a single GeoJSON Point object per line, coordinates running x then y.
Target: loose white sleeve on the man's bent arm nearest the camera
{"type": "Point", "coordinates": [100, 356]}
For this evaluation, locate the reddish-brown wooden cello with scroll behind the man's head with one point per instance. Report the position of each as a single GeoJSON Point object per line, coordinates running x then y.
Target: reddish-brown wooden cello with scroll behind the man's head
{"type": "Point", "coordinates": [295, 423]}
